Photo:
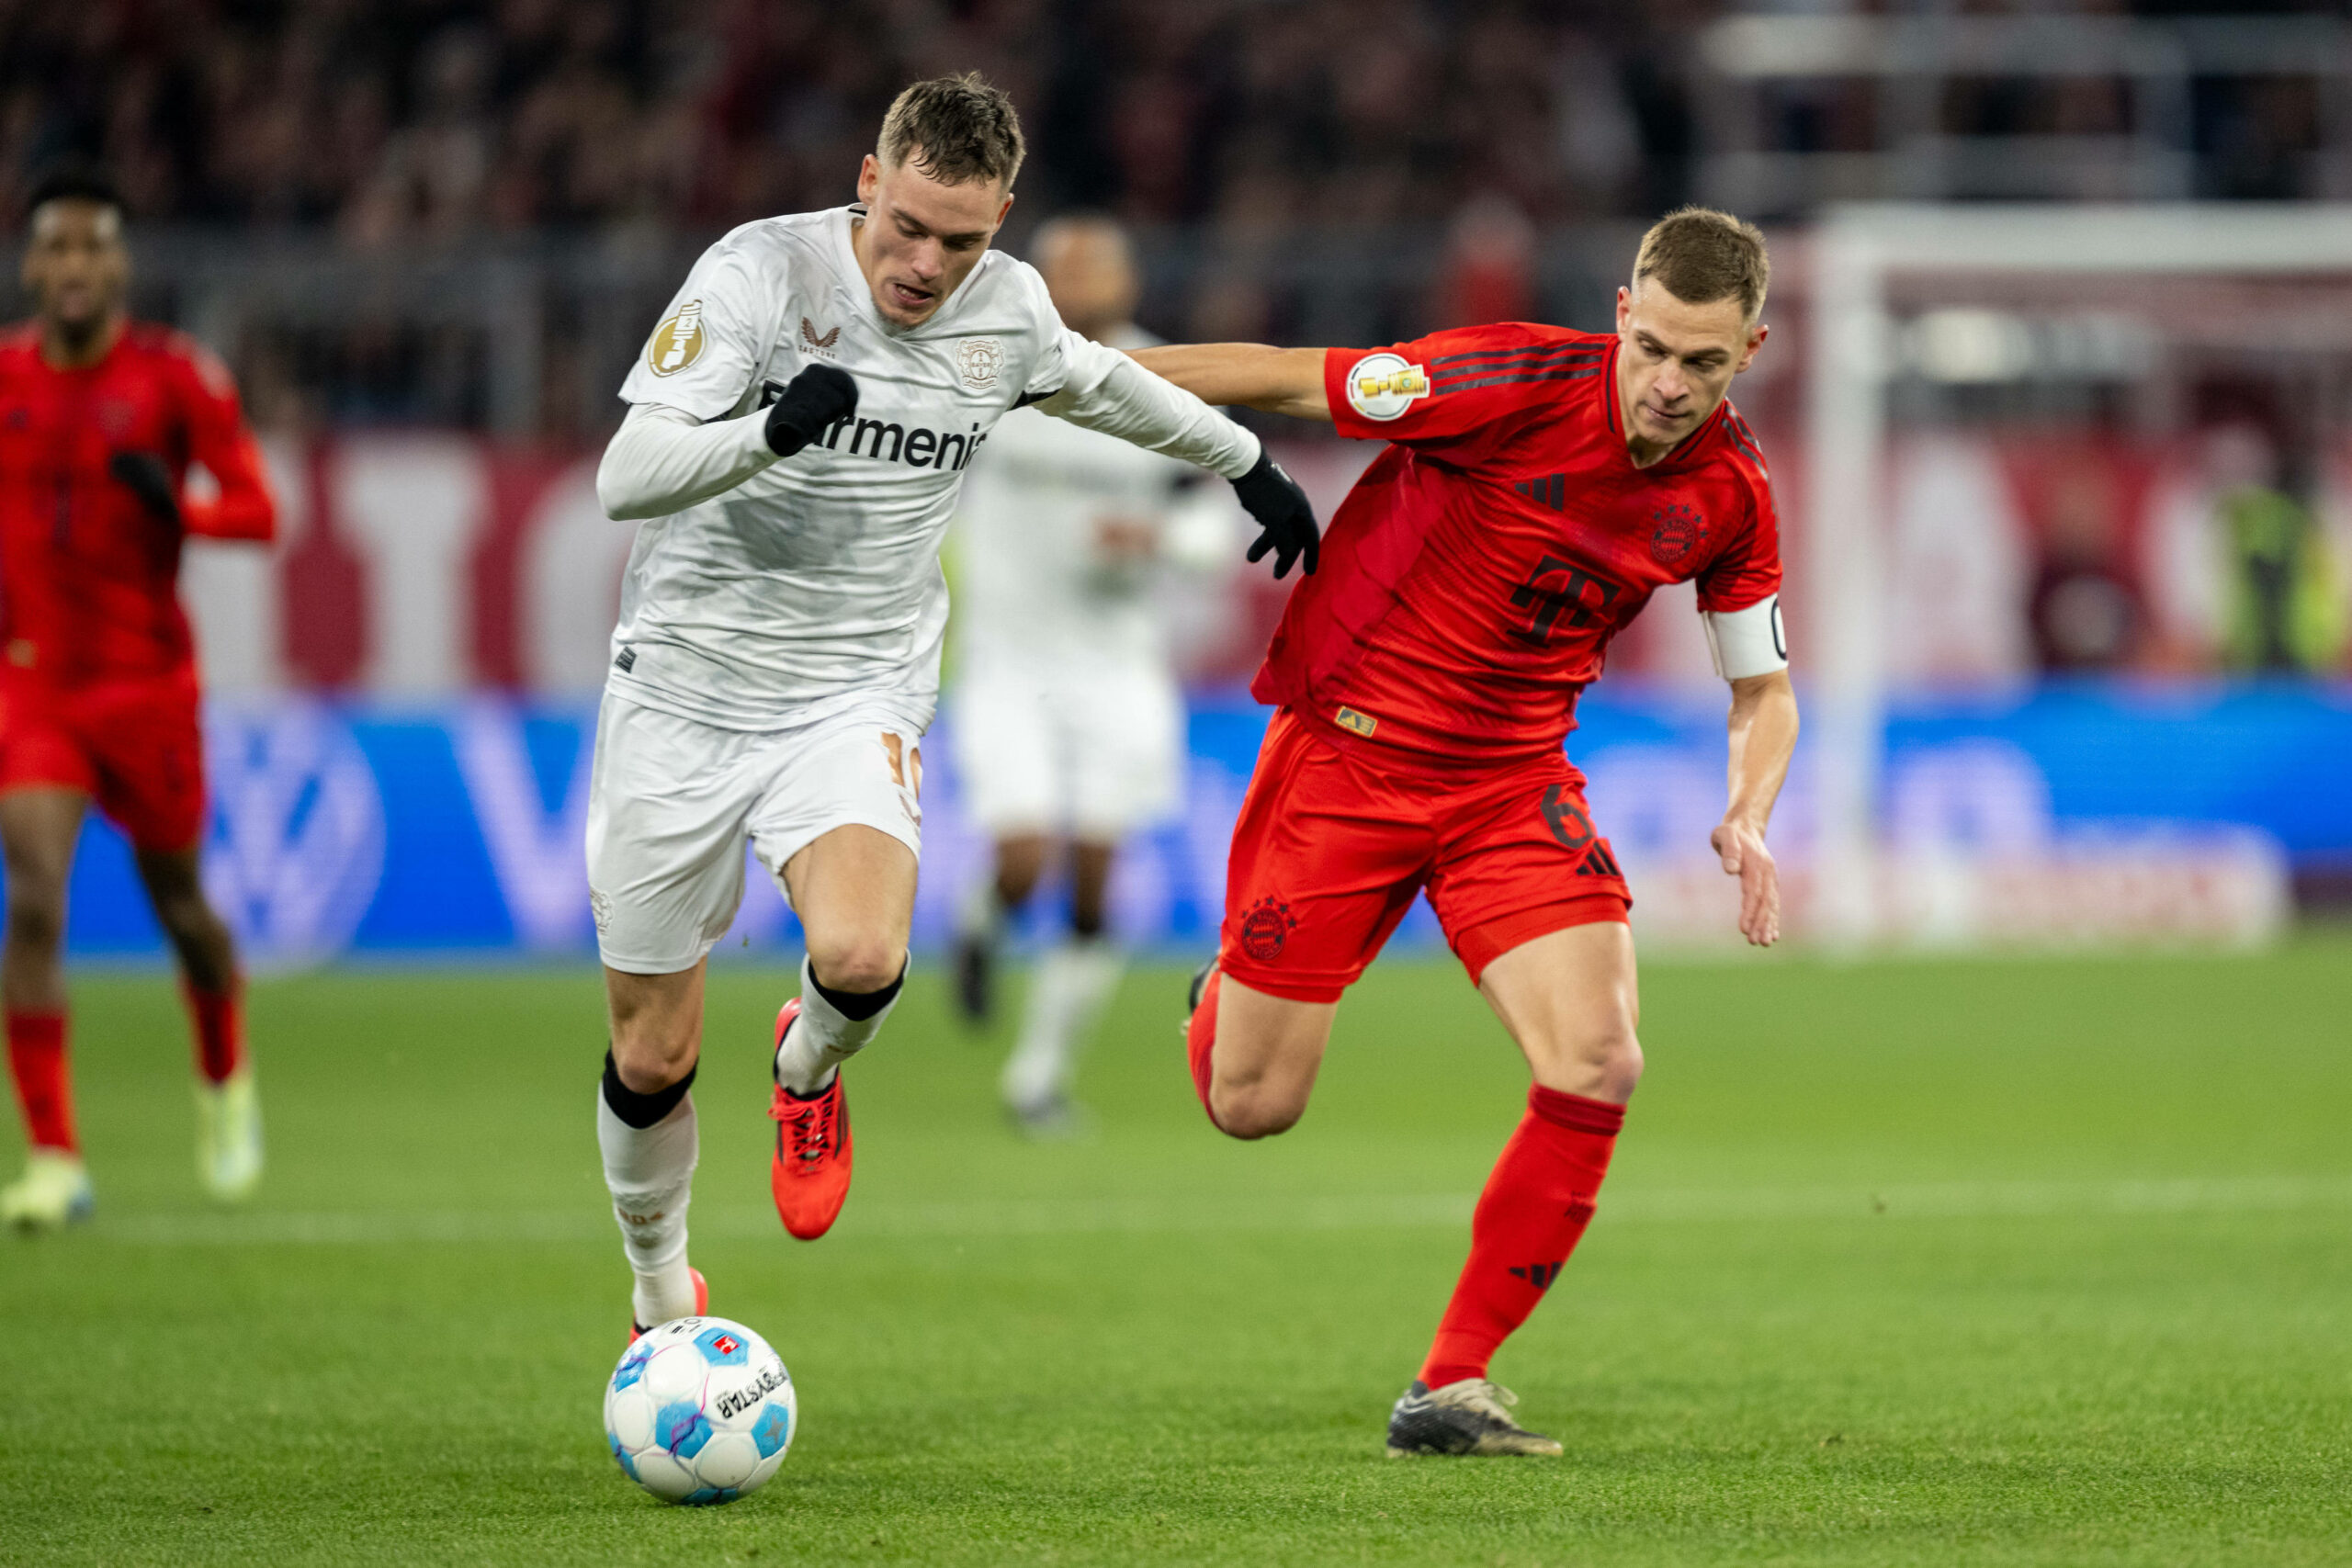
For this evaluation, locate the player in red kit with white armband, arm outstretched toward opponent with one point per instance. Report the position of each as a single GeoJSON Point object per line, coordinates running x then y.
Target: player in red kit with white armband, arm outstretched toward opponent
{"type": "Point", "coordinates": [1537, 490]}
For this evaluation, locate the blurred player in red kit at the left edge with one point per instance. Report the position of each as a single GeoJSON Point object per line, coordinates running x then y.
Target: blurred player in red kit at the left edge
{"type": "Point", "coordinates": [100, 422]}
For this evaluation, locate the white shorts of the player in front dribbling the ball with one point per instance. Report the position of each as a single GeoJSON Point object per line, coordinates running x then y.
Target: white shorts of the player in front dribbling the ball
{"type": "Point", "coordinates": [671, 803]}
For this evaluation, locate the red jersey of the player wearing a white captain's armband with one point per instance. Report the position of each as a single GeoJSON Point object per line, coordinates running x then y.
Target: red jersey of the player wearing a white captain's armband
{"type": "Point", "coordinates": [1476, 572]}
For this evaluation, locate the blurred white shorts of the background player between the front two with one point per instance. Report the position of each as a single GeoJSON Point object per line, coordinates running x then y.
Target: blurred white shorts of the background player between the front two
{"type": "Point", "coordinates": [1093, 753]}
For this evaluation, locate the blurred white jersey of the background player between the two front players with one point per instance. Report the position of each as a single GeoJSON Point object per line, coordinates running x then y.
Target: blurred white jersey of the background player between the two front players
{"type": "Point", "coordinates": [1031, 577]}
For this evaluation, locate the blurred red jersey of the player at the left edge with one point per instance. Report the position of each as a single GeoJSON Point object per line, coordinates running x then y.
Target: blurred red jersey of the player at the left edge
{"type": "Point", "coordinates": [91, 575]}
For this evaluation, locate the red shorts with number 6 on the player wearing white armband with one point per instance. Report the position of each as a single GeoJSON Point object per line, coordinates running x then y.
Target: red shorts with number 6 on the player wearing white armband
{"type": "Point", "coordinates": [1332, 850]}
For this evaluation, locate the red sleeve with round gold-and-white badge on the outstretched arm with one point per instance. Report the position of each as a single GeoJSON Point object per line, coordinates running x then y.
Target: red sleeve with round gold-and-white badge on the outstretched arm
{"type": "Point", "coordinates": [1457, 394]}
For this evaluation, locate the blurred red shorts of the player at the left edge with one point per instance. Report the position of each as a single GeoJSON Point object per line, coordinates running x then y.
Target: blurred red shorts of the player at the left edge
{"type": "Point", "coordinates": [135, 746]}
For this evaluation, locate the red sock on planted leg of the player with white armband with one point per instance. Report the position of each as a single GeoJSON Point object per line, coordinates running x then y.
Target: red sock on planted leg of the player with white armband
{"type": "Point", "coordinates": [1528, 1224]}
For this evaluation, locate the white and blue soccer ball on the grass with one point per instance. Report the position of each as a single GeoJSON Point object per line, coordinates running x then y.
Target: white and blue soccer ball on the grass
{"type": "Point", "coordinates": [700, 1412]}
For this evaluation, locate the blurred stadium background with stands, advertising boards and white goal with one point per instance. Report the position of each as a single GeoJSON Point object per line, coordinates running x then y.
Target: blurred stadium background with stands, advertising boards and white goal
{"type": "Point", "coordinates": [2071, 610]}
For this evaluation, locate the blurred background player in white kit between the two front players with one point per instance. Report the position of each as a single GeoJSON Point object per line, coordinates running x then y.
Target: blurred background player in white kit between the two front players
{"type": "Point", "coordinates": [1069, 723]}
